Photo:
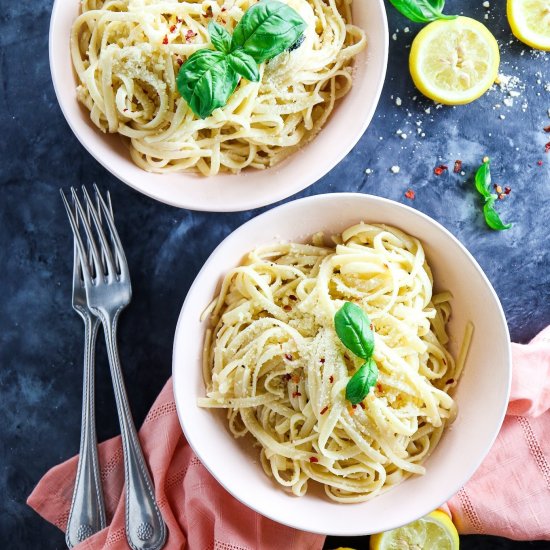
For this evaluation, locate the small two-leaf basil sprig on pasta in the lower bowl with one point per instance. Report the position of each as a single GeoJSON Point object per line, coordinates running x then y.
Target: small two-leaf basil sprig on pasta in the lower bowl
{"type": "Point", "coordinates": [352, 326]}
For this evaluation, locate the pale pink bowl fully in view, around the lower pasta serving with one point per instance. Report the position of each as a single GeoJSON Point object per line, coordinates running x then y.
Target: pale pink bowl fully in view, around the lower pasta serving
{"type": "Point", "coordinates": [482, 394]}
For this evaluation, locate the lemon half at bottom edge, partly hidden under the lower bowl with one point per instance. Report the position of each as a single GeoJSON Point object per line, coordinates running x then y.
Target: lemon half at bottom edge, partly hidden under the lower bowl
{"type": "Point", "coordinates": [436, 530]}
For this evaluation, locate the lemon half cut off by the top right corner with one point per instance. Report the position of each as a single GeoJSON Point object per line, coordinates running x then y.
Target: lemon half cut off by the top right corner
{"type": "Point", "coordinates": [530, 22]}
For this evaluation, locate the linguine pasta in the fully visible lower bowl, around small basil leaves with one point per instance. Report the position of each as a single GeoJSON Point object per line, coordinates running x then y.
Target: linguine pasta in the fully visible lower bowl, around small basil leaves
{"type": "Point", "coordinates": [273, 360]}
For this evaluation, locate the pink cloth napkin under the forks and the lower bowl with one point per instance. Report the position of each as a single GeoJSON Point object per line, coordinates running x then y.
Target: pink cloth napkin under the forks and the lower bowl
{"type": "Point", "coordinates": [508, 496]}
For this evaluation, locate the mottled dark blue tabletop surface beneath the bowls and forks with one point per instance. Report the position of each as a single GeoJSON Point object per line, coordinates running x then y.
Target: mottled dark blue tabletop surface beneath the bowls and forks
{"type": "Point", "coordinates": [40, 335]}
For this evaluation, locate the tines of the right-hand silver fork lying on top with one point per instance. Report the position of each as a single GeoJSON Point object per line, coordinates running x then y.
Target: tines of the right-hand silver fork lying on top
{"type": "Point", "coordinates": [105, 261]}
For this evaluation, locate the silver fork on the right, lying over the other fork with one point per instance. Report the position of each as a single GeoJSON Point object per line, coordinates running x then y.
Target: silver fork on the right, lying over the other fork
{"type": "Point", "coordinates": [108, 292]}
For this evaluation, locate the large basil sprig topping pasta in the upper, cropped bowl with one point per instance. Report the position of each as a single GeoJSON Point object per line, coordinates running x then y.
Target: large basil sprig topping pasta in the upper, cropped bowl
{"type": "Point", "coordinates": [208, 78]}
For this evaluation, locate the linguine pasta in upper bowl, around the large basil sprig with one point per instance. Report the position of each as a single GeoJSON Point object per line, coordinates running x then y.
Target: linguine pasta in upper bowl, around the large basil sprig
{"type": "Point", "coordinates": [127, 54]}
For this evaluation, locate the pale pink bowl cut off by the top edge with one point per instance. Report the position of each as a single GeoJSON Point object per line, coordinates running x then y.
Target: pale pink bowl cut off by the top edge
{"type": "Point", "coordinates": [252, 188]}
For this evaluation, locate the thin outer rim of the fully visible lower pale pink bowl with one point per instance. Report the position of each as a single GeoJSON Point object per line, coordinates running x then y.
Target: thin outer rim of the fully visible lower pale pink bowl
{"type": "Point", "coordinates": [177, 373]}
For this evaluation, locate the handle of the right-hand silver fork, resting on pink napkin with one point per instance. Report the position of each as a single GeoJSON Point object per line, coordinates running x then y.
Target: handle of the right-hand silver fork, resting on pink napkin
{"type": "Point", "coordinates": [145, 528]}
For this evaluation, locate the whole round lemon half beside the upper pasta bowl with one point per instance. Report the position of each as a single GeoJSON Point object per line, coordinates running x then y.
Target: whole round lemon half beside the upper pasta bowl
{"type": "Point", "coordinates": [454, 61]}
